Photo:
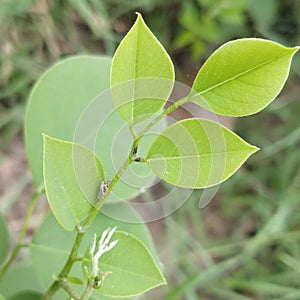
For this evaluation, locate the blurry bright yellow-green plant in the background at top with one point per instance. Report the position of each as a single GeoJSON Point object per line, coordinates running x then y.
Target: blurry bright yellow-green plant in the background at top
{"type": "Point", "coordinates": [203, 23]}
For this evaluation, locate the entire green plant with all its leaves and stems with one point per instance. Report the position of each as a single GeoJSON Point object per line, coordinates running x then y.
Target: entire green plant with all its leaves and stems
{"type": "Point", "coordinates": [72, 101]}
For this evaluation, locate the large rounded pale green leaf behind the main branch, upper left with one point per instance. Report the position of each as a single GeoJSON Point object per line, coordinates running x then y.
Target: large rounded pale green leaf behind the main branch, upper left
{"type": "Point", "coordinates": [72, 102]}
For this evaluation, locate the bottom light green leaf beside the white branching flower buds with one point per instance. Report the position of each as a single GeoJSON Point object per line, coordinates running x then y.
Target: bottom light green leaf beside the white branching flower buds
{"type": "Point", "coordinates": [131, 266]}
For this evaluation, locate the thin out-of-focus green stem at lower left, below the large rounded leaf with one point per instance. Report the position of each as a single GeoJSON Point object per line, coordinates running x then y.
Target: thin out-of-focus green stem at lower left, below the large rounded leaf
{"type": "Point", "coordinates": [23, 231]}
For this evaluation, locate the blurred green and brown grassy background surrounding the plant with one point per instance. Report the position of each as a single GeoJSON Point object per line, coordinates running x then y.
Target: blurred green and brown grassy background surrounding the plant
{"type": "Point", "coordinates": [246, 243]}
